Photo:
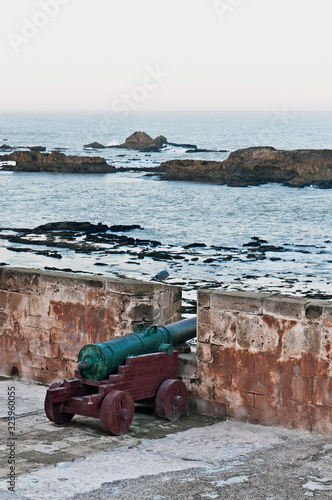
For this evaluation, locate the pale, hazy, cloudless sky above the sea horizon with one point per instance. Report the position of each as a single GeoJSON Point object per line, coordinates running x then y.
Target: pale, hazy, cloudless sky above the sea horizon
{"type": "Point", "coordinates": [102, 55]}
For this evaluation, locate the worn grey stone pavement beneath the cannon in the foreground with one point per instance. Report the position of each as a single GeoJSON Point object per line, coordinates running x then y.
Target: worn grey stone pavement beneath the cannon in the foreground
{"type": "Point", "coordinates": [194, 458]}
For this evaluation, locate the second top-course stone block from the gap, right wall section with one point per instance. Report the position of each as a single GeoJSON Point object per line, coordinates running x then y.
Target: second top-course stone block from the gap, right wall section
{"type": "Point", "coordinates": [284, 307]}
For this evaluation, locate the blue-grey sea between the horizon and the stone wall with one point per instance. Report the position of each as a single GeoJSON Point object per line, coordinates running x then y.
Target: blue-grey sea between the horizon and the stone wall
{"type": "Point", "coordinates": [223, 226]}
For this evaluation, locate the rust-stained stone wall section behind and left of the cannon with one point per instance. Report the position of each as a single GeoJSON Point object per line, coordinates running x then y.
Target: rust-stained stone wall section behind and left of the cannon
{"type": "Point", "coordinates": [46, 317]}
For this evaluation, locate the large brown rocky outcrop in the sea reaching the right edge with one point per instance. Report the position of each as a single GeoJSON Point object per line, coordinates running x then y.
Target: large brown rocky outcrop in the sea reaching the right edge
{"type": "Point", "coordinates": [258, 165]}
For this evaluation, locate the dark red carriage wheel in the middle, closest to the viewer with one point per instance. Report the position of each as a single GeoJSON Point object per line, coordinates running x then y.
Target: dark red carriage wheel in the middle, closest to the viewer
{"type": "Point", "coordinates": [117, 412]}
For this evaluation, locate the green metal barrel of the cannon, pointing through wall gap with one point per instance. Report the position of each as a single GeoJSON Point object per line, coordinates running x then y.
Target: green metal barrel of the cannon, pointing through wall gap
{"type": "Point", "coordinates": [97, 361]}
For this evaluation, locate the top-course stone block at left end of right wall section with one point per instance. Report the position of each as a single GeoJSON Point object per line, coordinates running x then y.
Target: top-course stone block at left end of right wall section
{"type": "Point", "coordinates": [237, 301]}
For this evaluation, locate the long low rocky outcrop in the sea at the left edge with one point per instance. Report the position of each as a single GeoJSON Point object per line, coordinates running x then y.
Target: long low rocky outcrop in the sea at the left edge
{"type": "Point", "coordinates": [27, 161]}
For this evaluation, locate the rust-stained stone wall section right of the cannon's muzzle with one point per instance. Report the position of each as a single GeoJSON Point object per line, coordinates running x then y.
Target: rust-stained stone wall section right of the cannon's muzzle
{"type": "Point", "coordinates": [264, 359]}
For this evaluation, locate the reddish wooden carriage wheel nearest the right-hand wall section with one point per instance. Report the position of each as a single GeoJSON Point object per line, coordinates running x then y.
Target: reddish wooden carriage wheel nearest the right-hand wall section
{"type": "Point", "coordinates": [171, 399]}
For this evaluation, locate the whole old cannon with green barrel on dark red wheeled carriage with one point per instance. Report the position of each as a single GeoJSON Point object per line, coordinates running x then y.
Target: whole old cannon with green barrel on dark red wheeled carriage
{"type": "Point", "coordinates": [112, 375]}
